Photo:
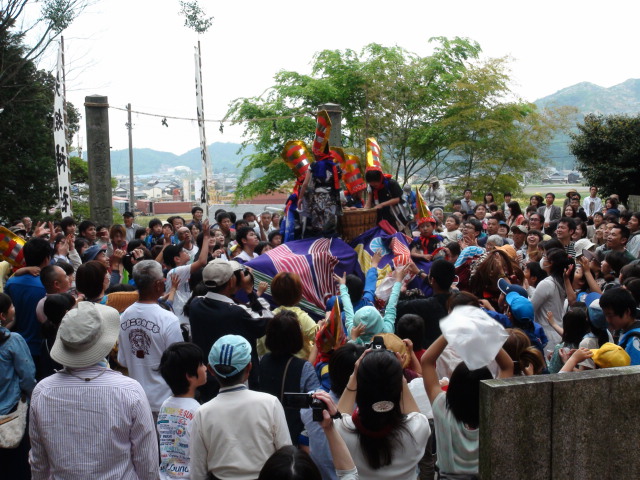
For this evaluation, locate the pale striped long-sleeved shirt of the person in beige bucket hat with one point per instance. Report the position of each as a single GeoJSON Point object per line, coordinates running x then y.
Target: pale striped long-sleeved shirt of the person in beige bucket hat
{"type": "Point", "coordinates": [100, 429]}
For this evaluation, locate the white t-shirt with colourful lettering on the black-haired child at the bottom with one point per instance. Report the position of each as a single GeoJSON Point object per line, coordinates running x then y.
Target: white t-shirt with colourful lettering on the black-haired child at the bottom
{"type": "Point", "coordinates": [174, 429]}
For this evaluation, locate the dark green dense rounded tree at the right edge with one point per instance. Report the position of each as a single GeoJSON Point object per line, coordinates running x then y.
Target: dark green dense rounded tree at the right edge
{"type": "Point", "coordinates": [607, 149]}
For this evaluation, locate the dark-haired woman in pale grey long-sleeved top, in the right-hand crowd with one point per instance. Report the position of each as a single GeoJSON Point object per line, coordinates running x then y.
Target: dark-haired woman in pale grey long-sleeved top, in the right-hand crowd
{"type": "Point", "coordinates": [550, 293]}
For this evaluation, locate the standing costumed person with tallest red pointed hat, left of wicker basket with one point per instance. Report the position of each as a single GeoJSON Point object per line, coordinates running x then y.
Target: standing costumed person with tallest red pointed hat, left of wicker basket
{"type": "Point", "coordinates": [321, 186]}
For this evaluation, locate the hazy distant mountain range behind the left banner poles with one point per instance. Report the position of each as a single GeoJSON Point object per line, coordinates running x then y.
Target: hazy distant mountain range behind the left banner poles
{"type": "Point", "coordinates": [146, 161]}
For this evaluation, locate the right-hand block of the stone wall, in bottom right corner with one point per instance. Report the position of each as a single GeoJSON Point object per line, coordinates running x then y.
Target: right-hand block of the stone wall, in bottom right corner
{"type": "Point", "coordinates": [596, 424]}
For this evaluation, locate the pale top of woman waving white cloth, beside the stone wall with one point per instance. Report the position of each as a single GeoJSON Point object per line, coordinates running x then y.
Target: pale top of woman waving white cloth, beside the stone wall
{"type": "Point", "coordinates": [457, 445]}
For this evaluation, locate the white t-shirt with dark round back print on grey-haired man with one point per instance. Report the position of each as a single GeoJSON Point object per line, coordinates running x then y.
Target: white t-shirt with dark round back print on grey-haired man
{"type": "Point", "coordinates": [146, 330]}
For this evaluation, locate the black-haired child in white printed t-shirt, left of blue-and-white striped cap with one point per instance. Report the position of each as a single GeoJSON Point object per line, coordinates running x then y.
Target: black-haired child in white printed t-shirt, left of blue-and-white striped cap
{"type": "Point", "coordinates": [183, 367]}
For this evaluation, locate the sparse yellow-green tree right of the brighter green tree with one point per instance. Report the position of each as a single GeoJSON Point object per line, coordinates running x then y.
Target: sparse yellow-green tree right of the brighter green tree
{"type": "Point", "coordinates": [495, 142]}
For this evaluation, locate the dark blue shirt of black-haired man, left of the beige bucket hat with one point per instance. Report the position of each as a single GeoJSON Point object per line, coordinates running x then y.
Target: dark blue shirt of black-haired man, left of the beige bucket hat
{"type": "Point", "coordinates": [25, 292]}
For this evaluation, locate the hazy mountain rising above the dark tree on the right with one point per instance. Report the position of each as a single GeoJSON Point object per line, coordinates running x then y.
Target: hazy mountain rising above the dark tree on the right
{"type": "Point", "coordinates": [589, 98]}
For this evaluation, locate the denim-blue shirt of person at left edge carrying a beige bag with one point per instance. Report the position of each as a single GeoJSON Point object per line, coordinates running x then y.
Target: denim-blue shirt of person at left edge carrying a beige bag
{"type": "Point", "coordinates": [17, 371]}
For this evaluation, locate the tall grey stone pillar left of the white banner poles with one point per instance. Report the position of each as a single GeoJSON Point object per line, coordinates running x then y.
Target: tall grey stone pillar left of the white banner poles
{"type": "Point", "coordinates": [99, 158]}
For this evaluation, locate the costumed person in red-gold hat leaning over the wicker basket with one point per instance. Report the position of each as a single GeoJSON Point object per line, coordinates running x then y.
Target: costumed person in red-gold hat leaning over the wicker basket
{"type": "Point", "coordinates": [383, 193]}
